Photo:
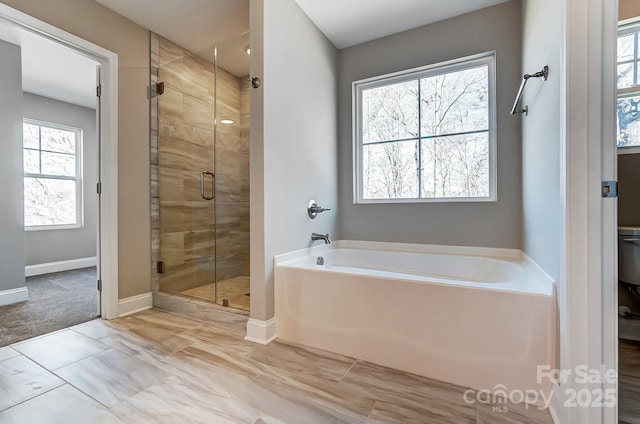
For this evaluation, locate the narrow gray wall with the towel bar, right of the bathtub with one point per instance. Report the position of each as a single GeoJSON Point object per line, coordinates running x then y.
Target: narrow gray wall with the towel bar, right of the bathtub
{"type": "Point", "coordinates": [541, 136]}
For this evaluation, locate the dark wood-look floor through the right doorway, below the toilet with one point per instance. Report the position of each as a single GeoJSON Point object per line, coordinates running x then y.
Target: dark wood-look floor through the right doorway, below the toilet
{"type": "Point", "coordinates": [629, 382]}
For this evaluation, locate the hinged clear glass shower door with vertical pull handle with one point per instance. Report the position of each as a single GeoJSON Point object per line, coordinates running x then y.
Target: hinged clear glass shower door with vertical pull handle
{"type": "Point", "coordinates": [183, 181]}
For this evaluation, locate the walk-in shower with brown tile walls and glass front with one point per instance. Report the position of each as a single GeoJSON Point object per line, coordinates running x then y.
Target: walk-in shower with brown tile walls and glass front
{"type": "Point", "coordinates": [200, 171]}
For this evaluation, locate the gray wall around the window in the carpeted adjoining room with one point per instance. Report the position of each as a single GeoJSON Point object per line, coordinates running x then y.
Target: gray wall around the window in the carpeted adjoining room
{"type": "Point", "coordinates": [60, 245]}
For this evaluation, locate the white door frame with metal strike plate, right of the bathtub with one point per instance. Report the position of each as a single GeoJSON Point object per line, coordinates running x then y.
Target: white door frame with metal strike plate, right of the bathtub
{"type": "Point", "coordinates": [587, 290]}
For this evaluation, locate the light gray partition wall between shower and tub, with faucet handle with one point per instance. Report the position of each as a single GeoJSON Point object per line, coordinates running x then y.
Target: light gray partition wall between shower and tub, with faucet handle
{"type": "Point", "coordinates": [297, 157]}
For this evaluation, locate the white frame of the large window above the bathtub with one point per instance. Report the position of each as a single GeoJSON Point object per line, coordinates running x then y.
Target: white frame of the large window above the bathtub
{"type": "Point", "coordinates": [482, 59]}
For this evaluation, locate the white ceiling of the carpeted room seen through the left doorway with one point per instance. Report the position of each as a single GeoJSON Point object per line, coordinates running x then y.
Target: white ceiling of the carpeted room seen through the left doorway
{"type": "Point", "coordinates": [52, 70]}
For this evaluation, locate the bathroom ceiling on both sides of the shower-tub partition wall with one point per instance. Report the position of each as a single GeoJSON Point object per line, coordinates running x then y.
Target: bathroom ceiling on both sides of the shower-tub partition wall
{"type": "Point", "coordinates": [198, 24]}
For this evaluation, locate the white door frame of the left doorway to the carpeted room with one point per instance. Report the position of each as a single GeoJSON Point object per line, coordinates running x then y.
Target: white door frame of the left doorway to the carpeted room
{"type": "Point", "coordinates": [108, 60]}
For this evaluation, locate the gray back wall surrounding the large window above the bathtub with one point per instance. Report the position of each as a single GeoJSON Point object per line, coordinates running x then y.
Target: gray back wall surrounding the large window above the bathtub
{"type": "Point", "coordinates": [495, 224]}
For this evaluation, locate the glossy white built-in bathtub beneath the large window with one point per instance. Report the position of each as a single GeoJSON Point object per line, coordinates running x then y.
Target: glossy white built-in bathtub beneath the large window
{"type": "Point", "coordinates": [475, 317]}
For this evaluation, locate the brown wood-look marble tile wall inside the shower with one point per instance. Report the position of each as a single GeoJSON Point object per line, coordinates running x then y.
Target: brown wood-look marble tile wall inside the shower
{"type": "Point", "coordinates": [182, 146]}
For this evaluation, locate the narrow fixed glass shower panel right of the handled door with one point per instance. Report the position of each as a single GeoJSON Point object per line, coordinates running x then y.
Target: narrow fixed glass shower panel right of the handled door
{"type": "Point", "coordinates": [232, 172]}
